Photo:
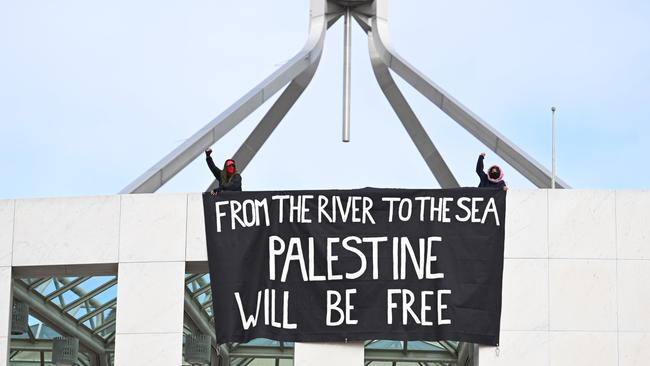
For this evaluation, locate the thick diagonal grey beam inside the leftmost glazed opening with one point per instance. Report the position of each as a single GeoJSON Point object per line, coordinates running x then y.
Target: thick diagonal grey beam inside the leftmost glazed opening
{"type": "Point", "coordinates": [60, 321]}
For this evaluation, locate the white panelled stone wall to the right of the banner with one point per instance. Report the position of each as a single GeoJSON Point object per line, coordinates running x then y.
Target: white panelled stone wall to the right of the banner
{"type": "Point", "coordinates": [576, 275]}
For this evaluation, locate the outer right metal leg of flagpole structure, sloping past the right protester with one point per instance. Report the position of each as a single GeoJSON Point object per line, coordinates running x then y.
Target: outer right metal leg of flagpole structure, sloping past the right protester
{"type": "Point", "coordinates": [507, 150]}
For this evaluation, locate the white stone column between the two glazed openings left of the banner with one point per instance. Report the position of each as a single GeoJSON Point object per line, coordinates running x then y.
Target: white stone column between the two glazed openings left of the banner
{"type": "Point", "coordinates": [151, 280]}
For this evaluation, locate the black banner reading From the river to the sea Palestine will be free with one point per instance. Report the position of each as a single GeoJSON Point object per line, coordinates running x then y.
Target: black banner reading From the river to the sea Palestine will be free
{"type": "Point", "coordinates": [357, 264]}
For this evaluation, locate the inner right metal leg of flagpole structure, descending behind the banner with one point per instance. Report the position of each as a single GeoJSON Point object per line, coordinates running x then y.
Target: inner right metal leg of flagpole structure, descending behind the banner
{"type": "Point", "coordinates": [410, 121]}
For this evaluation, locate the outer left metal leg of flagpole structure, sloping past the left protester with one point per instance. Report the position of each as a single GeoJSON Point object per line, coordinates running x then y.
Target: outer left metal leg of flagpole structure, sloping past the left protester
{"type": "Point", "coordinates": [189, 150]}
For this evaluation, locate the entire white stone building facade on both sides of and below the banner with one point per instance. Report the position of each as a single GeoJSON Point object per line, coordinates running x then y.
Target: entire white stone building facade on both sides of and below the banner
{"type": "Point", "coordinates": [576, 273]}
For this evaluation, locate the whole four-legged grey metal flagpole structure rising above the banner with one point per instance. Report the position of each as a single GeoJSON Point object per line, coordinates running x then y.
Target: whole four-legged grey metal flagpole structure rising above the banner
{"type": "Point", "coordinates": [296, 75]}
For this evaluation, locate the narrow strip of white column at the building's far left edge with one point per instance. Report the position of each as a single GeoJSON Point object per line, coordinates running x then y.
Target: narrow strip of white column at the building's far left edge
{"type": "Point", "coordinates": [6, 241]}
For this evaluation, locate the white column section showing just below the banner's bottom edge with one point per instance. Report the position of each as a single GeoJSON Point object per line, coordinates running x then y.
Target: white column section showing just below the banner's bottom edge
{"type": "Point", "coordinates": [325, 354]}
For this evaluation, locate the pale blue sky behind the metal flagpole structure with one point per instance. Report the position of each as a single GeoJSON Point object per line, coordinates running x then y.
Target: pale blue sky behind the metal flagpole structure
{"type": "Point", "coordinates": [92, 94]}
